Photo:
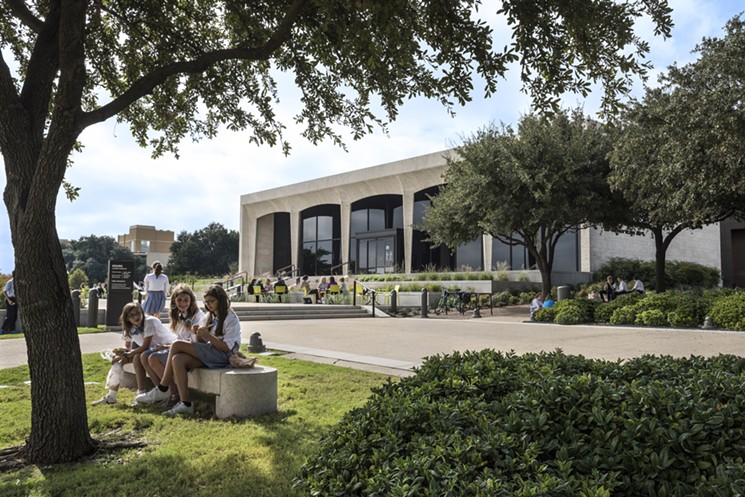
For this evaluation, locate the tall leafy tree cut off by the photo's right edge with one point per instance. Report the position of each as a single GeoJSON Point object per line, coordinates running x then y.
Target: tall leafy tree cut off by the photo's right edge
{"type": "Point", "coordinates": [680, 157]}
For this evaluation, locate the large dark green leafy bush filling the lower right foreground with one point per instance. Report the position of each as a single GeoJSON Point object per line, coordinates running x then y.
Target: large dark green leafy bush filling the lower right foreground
{"type": "Point", "coordinates": [481, 424]}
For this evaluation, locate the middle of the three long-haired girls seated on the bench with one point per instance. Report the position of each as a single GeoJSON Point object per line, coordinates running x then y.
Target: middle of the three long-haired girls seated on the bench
{"type": "Point", "coordinates": [184, 313]}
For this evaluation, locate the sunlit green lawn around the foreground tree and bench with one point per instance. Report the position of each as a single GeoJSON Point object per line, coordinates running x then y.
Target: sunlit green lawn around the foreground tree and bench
{"type": "Point", "coordinates": [198, 456]}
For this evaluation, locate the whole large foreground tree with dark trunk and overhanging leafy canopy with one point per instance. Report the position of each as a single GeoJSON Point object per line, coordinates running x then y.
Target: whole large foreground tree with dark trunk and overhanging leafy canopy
{"type": "Point", "coordinates": [173, 69]}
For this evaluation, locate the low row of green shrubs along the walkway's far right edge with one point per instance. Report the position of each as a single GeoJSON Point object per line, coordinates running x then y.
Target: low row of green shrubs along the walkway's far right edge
{"type": "Point", "coordinates": [678, 309]}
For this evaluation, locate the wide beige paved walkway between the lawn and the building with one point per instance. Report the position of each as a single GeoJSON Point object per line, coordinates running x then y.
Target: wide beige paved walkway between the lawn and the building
{"type": "Point", "coordinates": [395, 345]}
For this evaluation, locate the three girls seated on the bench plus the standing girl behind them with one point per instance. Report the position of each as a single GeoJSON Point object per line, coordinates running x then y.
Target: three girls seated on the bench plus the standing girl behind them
{"type": "Point", "coordinates": [194, 339]}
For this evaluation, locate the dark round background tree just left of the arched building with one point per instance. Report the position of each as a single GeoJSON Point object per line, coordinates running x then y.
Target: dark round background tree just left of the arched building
{"type": "Point", "coordinates": [207, 252]}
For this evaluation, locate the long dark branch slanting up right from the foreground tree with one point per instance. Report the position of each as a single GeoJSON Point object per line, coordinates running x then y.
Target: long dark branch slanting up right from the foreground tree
{"type": "Point", "coordinates": [147, 83]}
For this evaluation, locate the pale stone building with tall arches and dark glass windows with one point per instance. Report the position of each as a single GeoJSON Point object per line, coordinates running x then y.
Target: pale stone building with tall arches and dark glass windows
{"type": "Point", "coordinates": [367, 221]}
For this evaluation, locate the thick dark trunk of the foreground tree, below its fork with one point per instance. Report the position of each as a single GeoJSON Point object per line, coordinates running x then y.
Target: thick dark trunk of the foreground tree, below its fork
{"type": "Point", "coordinates": [59, 422]}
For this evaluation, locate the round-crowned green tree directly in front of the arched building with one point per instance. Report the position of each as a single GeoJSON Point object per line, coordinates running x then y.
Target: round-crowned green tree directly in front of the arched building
{"type": "Point", "coordinates": [526, 187]}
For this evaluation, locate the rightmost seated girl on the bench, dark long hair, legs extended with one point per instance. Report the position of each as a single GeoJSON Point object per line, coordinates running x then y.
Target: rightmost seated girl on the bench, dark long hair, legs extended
{"type": "Point", "coordinates": [214, 344]}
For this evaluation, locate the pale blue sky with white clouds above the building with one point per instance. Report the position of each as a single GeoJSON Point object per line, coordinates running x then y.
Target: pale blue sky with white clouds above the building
{"type": "Point", "coordinates": [121, 185]}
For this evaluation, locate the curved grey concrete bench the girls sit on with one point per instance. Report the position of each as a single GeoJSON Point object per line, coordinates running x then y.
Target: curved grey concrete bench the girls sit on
{"type": "Point", "coordinates": [239, 393]}
